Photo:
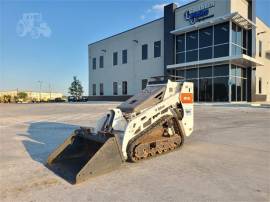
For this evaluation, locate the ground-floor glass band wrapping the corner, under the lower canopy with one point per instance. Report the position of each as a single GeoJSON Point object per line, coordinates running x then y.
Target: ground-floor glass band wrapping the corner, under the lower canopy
{"type": "Point", "coordinates": [213, 83]}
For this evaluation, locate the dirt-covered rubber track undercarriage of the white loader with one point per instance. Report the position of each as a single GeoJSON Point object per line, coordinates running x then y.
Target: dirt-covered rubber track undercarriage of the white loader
{"type": "Point", "coordinates": [163, 136]}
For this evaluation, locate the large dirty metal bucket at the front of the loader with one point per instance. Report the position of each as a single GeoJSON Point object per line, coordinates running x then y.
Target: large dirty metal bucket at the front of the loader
{"type": "Point", "coordinates": [83, 156]}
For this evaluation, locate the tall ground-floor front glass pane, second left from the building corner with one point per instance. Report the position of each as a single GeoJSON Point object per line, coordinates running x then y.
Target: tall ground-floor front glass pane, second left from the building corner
{"type": "Point", "coordinates": [205, 91]}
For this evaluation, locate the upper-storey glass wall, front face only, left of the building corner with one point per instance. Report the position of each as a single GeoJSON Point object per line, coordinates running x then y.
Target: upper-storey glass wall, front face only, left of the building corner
{"type": "Point", "coordinates": [207, 43]}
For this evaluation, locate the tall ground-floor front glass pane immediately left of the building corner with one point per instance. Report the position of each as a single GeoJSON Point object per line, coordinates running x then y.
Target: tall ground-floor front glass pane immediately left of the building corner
{"type": "Point", "coordinates": [221, 89]}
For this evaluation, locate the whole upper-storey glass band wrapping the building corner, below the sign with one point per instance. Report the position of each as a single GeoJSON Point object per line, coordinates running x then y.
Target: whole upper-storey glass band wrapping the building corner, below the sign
{"type": "Point", "coordinates": [211, 42]}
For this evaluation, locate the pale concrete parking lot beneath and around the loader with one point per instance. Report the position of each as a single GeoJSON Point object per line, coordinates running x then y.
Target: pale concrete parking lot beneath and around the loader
{"type": "Point", "coordinates": [227, 158]}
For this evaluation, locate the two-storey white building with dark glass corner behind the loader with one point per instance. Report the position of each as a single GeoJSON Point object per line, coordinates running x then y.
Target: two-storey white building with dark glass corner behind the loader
{"type": "Point", "coordinates": [219, 45]}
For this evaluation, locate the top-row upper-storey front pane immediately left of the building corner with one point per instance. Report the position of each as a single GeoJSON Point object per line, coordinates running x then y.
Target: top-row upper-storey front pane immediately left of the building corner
{"type": "Point", "coordinates": [221, 33]}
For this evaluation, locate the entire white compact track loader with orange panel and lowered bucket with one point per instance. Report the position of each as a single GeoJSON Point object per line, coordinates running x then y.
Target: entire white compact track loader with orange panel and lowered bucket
{"type": "Point", "coordinates": [151, 123]}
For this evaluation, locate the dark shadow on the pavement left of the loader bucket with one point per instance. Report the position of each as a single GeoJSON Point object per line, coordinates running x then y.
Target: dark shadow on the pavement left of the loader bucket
{"type": "Point", "coordinates": [42, 138]}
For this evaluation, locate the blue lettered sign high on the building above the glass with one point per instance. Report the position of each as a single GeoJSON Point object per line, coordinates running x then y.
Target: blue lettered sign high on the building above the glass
{"type": "Point", "coordinates": [197, 15]}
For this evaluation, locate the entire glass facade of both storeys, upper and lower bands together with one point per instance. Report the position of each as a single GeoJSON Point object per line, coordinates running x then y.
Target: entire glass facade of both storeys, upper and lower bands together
{"type": "Point", "coordinates": [214, 82]}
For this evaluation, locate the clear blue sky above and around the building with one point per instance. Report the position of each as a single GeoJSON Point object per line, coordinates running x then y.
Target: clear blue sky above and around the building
{"type": "Point", "coordinates": [52, 48]}
